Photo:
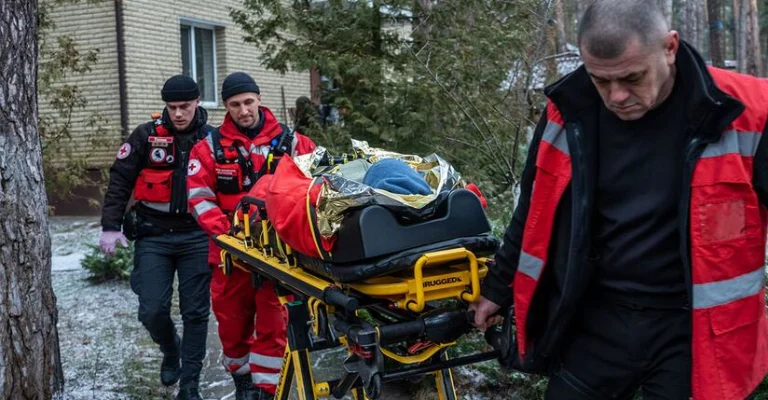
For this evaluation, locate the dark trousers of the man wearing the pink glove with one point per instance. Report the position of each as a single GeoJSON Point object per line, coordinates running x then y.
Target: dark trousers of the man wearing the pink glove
{"type": "Point", "coordinates": [156, 260]}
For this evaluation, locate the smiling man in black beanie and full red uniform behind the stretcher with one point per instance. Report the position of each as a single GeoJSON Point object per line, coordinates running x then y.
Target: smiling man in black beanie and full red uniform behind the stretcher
{"type": "Point", "coordinates": [222, 168]}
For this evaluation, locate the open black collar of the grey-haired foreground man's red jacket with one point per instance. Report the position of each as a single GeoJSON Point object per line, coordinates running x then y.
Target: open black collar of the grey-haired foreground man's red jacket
{"type": "Point", "coordinates": [709, 110]}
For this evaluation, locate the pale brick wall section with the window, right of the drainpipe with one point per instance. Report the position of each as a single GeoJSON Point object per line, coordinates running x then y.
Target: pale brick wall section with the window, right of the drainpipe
{"type": "Point", "coordinates": [153, 49]}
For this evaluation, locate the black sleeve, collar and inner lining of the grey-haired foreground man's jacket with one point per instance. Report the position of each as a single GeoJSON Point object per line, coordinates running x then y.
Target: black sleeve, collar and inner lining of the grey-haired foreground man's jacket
{"type": "Point", "coordinates": [571, 264]}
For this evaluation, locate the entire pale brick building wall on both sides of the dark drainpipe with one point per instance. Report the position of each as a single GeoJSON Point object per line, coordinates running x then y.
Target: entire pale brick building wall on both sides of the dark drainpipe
{"type": "Point", "coordinates": [152, 37]}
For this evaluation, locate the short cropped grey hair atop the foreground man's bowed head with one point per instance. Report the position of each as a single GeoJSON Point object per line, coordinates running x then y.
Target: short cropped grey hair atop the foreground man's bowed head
{"type": "Point", "coordinates": [609, 25]}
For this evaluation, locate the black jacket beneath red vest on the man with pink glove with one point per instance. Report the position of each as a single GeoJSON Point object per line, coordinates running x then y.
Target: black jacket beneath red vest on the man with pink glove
{"type": "Point", "coordinates": [124, 172]}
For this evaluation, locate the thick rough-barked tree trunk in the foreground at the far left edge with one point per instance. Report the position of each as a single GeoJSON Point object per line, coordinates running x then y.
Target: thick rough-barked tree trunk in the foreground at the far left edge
{"type": "Point", "coordinates": [30, 366]}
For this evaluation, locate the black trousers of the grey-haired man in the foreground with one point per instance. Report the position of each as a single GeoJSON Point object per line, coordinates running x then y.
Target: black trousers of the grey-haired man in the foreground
{"type": "Point", "coordinates": [615, 349]}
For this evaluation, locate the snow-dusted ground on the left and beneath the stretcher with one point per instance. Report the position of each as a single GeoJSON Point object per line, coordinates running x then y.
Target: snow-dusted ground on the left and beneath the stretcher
{"type": "Point", "coordinates": [107, 354]}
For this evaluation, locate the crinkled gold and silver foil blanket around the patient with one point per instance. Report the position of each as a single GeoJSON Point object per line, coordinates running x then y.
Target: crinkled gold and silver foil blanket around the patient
{"type": "Point", "coordinates": [340, 195]}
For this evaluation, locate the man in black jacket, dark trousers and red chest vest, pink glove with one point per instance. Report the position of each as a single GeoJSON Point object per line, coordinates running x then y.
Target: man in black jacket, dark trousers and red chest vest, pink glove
{"type": "Point", "coordinates": [152, 164]}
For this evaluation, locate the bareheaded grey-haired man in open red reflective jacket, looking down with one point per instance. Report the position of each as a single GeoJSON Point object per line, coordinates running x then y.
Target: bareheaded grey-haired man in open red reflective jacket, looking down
{"type": "Point", "coordinates": [636, 253]}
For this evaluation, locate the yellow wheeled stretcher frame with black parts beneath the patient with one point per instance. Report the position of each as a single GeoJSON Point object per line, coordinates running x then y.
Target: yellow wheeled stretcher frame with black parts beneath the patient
{"type": "Point", "coordinates": [395, 322]}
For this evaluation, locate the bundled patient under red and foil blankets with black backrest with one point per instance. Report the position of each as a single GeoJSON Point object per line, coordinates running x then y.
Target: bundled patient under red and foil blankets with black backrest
{"type": "Point", "coordinates": [374, 215]}
